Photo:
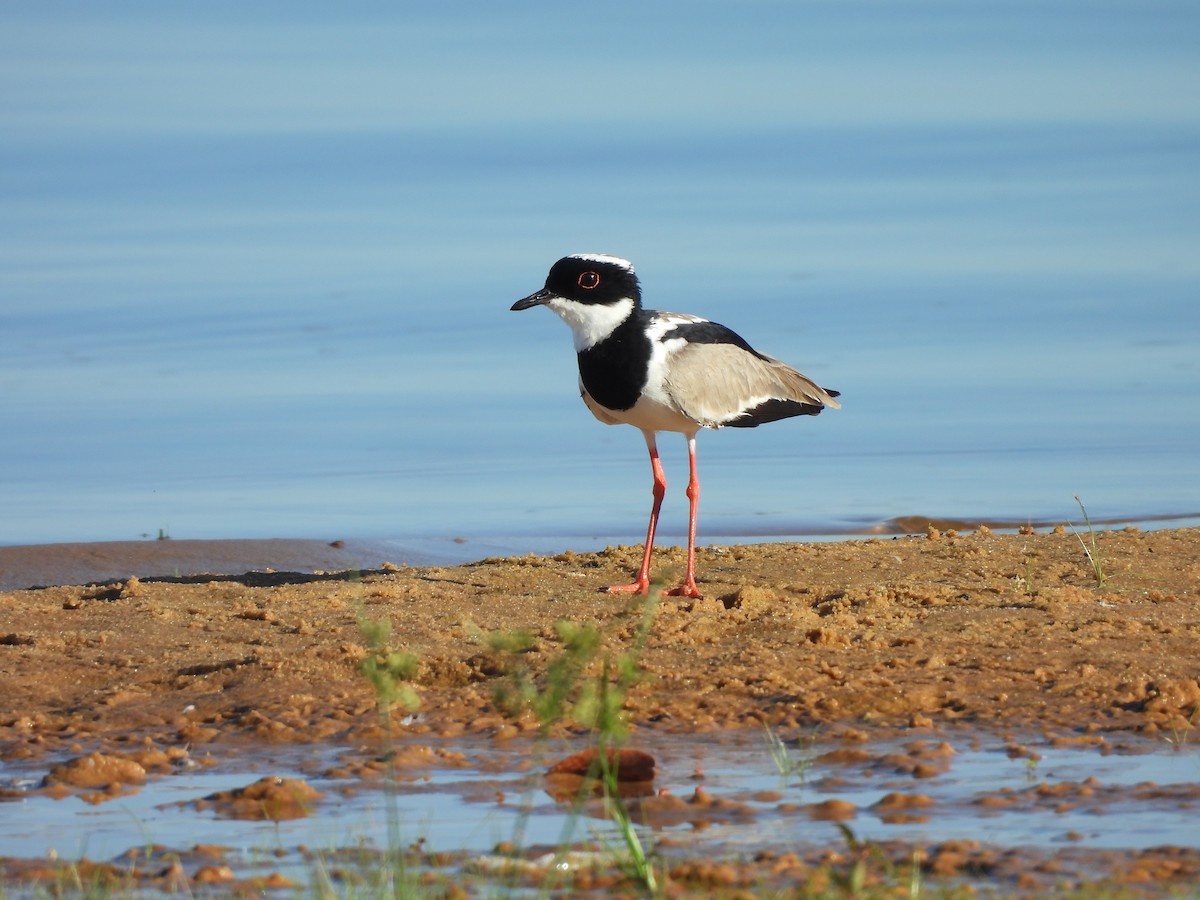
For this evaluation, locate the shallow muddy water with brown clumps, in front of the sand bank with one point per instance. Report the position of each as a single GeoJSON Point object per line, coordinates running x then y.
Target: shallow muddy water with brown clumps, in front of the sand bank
{"type": "Point", "coordinates": [476, 807]}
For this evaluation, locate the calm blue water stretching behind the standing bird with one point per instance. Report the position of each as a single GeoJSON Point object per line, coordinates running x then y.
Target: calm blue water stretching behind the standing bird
{"type": "Point", "coordinates": [256, 262]}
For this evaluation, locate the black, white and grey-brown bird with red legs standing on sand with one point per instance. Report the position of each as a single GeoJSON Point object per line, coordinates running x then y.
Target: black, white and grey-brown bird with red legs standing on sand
{"type": "Point", "coordinates": [665, 373]}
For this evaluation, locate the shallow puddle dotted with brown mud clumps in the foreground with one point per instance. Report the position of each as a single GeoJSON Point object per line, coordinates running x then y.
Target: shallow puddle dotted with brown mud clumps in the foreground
{"type": "Point", "coordinates": [722, 797]}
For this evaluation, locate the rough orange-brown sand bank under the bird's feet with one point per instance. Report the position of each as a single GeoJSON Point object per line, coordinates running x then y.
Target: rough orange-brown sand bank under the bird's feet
{"type": "Point", "coordinates": [862, 638]}
